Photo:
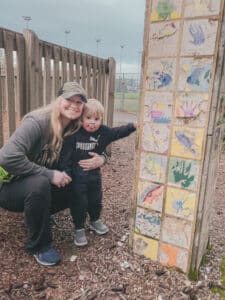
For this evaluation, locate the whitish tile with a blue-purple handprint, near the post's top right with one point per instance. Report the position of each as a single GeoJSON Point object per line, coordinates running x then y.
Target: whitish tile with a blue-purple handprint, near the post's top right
{"type": "Point", "coordinates": [199, 37]}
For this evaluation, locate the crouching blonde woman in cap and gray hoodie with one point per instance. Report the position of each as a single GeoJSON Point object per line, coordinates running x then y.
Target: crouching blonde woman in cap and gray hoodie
{"type": "Point", "coordinates": [28, 165]}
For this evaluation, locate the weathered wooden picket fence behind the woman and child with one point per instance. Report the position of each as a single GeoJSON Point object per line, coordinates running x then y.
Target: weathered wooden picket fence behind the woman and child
{"type": "Point", "coordinates": [32, 71]}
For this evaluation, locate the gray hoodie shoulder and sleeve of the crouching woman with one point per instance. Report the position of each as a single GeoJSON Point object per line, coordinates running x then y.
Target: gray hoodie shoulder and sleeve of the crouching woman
{"type": "Point", "coordinates": [23, 153]}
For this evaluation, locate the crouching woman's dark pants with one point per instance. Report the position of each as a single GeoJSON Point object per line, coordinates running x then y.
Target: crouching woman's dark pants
{"type": "Point", "coordinates": [38, 199]}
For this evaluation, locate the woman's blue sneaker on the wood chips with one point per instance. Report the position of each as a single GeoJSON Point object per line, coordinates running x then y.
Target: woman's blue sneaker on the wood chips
{"type": "Point", "coordinates": [48, 257]}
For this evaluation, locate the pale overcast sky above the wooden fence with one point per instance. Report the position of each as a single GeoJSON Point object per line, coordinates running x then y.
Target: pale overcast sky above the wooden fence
{"type": "Point", "coordinates": [114, 22]}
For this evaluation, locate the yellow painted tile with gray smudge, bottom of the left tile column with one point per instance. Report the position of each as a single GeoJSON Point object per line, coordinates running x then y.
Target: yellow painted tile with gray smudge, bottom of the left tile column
{"type": "Point", "coordinates": [145, 246]}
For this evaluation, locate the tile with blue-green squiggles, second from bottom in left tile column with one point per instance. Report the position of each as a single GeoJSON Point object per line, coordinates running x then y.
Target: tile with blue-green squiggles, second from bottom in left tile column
{"type": "Point", "coordinates": [148, 222]}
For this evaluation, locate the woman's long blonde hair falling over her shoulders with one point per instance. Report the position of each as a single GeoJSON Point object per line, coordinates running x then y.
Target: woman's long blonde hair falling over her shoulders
{"type": "Point", "coordinates": [57, 132]}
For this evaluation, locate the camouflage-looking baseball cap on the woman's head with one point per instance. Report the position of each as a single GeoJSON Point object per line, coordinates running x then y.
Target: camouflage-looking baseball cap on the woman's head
{"type": "Point", "coordinates": [70, 89]}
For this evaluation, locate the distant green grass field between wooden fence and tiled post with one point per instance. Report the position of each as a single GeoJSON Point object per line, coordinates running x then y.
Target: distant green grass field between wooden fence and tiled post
{"type": "Point", "coordinates": [129, 103]}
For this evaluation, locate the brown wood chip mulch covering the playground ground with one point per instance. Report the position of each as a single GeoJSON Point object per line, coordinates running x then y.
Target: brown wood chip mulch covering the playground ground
{"type": "Point", "coordinates": [107, 268]}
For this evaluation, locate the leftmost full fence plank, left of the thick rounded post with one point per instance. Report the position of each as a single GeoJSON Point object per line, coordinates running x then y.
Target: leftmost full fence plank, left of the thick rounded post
{"type": "Point", "coordinates": [11, 114]}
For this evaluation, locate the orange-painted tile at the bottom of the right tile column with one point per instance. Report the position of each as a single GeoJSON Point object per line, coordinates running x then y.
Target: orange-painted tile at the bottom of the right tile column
{"type": "Point", "coordinates": [173, 257]}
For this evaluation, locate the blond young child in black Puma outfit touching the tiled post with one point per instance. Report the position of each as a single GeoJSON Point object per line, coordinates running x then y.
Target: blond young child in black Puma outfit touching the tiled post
{"type": "Point", "coordinates": [87, 187]}
